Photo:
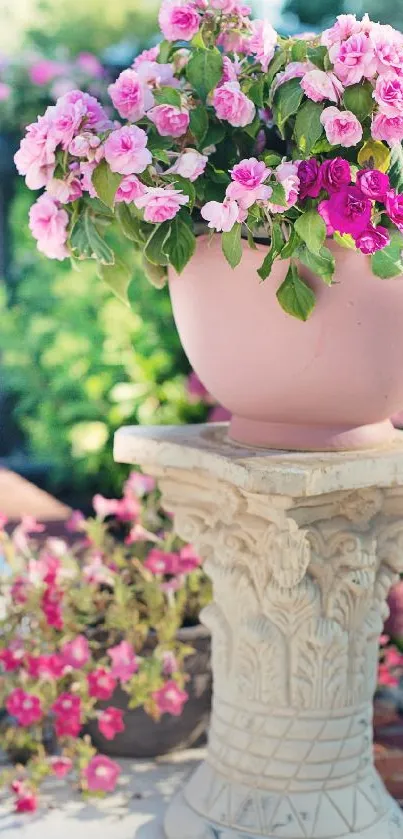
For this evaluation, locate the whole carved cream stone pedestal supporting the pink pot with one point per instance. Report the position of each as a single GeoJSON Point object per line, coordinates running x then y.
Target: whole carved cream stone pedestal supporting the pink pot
{"type": "Point", "coordinates": [302, 550]}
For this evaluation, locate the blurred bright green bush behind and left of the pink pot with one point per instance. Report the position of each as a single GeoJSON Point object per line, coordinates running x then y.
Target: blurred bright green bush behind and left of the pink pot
{"type": "Point", "coordinates": [80, 364]}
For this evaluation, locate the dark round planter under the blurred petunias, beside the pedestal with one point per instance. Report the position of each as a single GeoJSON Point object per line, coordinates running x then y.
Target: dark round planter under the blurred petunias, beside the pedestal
{"type": "Point", "coordinates": [144, 738]}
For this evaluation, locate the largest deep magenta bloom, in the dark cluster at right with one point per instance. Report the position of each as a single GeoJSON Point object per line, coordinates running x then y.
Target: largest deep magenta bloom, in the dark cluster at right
{"type": "Point", "coordinates": [349, 211]}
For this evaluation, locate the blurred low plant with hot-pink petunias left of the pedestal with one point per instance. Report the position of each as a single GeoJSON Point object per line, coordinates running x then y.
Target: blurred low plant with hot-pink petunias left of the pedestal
{"type": "Point", "coordinates": [75, 624]}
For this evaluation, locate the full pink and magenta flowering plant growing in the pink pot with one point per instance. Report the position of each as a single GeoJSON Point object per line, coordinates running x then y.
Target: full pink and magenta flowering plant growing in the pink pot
{"type": "Point", "coordinates": [225, 122]}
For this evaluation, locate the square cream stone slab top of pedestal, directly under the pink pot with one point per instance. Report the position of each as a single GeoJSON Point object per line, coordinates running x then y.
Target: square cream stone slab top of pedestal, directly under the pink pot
{"type": "Point", "coordinates": [297, 474]}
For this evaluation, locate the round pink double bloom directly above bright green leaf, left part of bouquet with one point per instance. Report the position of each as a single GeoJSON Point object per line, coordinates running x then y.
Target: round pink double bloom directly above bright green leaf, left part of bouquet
{"type": "Point", "coordinates": [126, 150]}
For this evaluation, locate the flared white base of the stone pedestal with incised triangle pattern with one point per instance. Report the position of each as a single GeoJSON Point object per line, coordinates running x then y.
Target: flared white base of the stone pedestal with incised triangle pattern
{"type": "Point", "coordinates": [282, 817]}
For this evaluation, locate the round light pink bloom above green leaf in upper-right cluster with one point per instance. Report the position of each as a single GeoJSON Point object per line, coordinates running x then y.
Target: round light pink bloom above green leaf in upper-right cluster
{"type": "Point", "coordinates": [354, 59]}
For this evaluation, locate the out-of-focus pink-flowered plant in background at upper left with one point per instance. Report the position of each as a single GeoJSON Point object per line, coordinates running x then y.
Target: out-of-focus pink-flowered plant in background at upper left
{"type": "Point", "coordinates": [31, 81]}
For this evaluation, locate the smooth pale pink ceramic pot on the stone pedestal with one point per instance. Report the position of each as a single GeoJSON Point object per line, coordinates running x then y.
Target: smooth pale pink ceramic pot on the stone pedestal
{"type": "Point", "coordinates": [329, 383]}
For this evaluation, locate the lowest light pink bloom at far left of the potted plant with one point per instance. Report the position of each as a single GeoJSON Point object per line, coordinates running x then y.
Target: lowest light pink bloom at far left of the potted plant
{"type": "Point", "coordinates": [48, 225]}
